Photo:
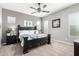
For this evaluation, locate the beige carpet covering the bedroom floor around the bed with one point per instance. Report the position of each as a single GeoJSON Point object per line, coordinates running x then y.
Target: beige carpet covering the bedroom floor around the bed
{"type": "Point", "coordinates": [54, 49]}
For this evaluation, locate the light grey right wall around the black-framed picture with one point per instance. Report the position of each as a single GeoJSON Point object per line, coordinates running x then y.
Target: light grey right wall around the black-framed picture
{"type": "Point", "coordinates": [61, 33]}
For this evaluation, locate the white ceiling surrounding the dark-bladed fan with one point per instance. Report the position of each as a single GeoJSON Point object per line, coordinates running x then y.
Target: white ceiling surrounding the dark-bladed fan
{"type": "Point", "coordinates": [25, 7]}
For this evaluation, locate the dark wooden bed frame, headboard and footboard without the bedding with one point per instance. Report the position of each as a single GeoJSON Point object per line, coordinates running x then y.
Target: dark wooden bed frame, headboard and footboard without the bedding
{"type": "Point", "coordinates": [28, 44]}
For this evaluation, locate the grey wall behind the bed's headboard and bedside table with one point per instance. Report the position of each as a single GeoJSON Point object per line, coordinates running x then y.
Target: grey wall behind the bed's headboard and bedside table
{"type": "Point", "coordinates": [20, 17]}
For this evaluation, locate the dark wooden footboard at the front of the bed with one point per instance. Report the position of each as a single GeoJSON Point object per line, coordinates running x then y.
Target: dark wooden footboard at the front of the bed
{"type": "Point", "coordinates": [35, 43]}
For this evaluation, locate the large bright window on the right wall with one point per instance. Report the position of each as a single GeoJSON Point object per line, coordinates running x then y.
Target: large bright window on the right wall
{"type": "Point", "coordinates": [74, 24]}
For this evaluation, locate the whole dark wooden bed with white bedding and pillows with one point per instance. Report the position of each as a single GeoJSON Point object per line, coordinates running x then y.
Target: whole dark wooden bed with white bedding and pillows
{"type": "Point", "coordinates": [29, 41]}
